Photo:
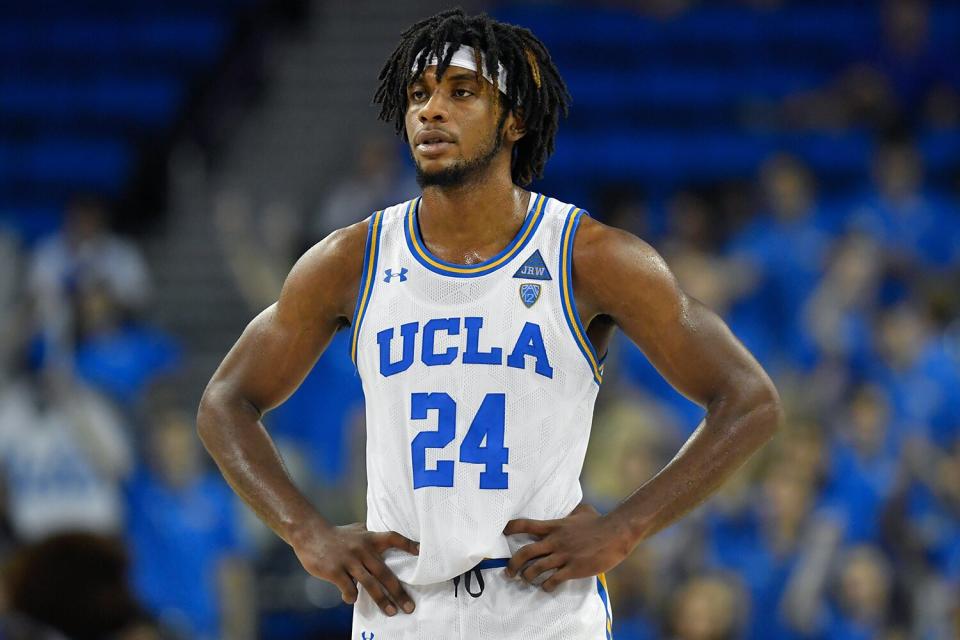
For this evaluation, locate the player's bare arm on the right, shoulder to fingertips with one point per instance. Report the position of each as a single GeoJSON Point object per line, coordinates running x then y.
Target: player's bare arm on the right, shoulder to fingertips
{"type": "Point", "coordinates": [620, 277]}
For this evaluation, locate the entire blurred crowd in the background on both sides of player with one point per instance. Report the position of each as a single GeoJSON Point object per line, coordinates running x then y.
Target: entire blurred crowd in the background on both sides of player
{"type": "Point", "coordinates": [113, 524]}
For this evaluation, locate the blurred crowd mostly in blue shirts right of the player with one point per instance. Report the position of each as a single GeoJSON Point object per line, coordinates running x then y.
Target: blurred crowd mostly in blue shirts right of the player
{"type": "Point", "coordinates": [848, 524]}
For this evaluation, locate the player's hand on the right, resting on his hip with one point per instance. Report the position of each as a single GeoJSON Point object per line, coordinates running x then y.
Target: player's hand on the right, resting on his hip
{"type": "Point", "coordinates": [581, 545]}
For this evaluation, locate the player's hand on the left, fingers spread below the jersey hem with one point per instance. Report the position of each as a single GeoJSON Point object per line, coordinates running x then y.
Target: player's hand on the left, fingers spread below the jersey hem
{"type": "Point", "coordinates": [351, 554]}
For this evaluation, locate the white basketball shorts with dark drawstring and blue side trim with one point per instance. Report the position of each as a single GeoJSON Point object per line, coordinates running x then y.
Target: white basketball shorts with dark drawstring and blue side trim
{"type": "Point", "coordinates": [484, 604]}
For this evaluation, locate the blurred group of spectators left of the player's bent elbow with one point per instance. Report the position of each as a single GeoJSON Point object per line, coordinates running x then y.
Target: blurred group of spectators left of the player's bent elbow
{"type": "Point", "coordinates": [111, 524]}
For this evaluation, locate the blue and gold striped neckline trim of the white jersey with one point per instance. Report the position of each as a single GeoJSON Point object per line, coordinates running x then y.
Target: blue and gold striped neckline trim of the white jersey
{"type": "Point", "coordinates": [416, 246]}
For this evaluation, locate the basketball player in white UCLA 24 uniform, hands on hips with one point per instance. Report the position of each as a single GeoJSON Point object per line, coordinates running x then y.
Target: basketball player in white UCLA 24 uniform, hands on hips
{"type": "Point", "coordinates": [480, 314]}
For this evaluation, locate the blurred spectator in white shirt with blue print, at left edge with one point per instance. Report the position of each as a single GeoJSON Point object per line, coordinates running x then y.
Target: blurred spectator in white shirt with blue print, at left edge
{"type": "Point", "coordinates": [64, 453]}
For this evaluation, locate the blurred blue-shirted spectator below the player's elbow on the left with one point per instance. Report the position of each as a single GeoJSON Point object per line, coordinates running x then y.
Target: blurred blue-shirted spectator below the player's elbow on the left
{"type": "Point", "coordinates": [189, 560]}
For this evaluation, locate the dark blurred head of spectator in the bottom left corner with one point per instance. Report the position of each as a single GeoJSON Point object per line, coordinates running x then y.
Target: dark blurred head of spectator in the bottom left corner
{"type": "Point", "coordinates": [77, 584]}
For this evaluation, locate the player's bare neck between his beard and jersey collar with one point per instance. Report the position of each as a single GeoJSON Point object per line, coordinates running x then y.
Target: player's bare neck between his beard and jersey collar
{"type": "Point", "coordinates": [469, 223]}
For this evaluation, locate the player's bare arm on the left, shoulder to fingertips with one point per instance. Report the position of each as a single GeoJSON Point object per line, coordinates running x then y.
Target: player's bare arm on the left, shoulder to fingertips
{"type": "Point", "coordinates": [270, 360]}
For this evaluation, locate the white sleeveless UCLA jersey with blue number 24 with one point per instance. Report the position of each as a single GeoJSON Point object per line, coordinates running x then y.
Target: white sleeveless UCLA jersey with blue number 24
{"type": "Point", "coordinates": [480, 384]}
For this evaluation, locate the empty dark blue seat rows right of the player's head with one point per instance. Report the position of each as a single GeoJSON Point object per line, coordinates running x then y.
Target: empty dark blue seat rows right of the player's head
{"type": "Point", "coordinates": [655, 99]}
